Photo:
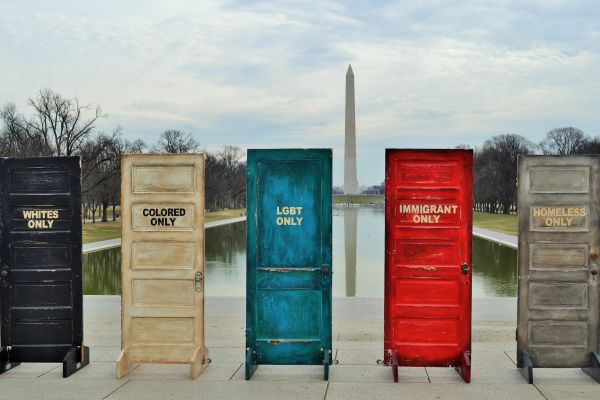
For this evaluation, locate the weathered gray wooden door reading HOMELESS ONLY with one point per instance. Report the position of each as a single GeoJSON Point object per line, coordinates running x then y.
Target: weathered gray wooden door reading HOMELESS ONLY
{"type": "Point", "coordinates": [558, 259]}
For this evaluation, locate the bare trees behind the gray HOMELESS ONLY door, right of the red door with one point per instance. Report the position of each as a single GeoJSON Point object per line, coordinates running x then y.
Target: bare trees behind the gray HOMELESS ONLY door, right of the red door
{"type": "Point", "coordinates": [495, 164]}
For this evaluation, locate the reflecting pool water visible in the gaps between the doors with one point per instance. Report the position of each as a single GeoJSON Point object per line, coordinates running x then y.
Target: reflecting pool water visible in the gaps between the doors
{"type": "Point", "coordinates": [358, 255]}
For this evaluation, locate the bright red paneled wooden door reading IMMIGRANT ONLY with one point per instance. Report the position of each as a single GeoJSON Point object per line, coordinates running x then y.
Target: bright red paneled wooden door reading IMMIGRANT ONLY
{"type": "Point", "coordinates": [428, 220]}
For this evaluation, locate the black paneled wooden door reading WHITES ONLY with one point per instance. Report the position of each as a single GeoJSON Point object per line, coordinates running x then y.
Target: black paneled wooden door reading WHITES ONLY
{"type": "Point", "coordinates": [40, 262]}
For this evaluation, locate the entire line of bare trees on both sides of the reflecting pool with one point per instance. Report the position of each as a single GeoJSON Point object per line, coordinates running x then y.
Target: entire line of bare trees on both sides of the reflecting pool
{"type": "Point", "coordinates": [62, 126]}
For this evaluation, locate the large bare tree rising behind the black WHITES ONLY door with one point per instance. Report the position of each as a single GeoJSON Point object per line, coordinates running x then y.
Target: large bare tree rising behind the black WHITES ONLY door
{"type": "Point", "coordinates": [61, 126]}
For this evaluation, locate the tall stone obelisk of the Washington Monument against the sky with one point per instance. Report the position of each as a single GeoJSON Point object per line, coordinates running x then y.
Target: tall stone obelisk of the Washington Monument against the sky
{"type": "Point", "coordinates": [350, 181]}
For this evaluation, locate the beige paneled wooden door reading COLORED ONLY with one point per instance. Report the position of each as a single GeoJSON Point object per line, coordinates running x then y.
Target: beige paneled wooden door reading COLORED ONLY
{"type": "Point", "coordinates": [162, 261]}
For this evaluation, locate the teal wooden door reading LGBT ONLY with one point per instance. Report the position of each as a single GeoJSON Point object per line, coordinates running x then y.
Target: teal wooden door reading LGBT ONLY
{"type": "Point", "coordinates": [288, 290]}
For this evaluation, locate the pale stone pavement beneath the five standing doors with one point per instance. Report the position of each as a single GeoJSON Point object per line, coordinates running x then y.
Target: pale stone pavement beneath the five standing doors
{"type": "Point", "coordinates": [358, 335]}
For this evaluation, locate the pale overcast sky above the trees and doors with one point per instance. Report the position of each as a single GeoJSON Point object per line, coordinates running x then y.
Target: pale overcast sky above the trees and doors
{"type": "Point", "coordinates": [272, 74]}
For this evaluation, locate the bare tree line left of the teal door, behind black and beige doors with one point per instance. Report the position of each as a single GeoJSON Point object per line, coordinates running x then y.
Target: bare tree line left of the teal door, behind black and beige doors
{"type": "Point", "coordinates": [62, 126]}
